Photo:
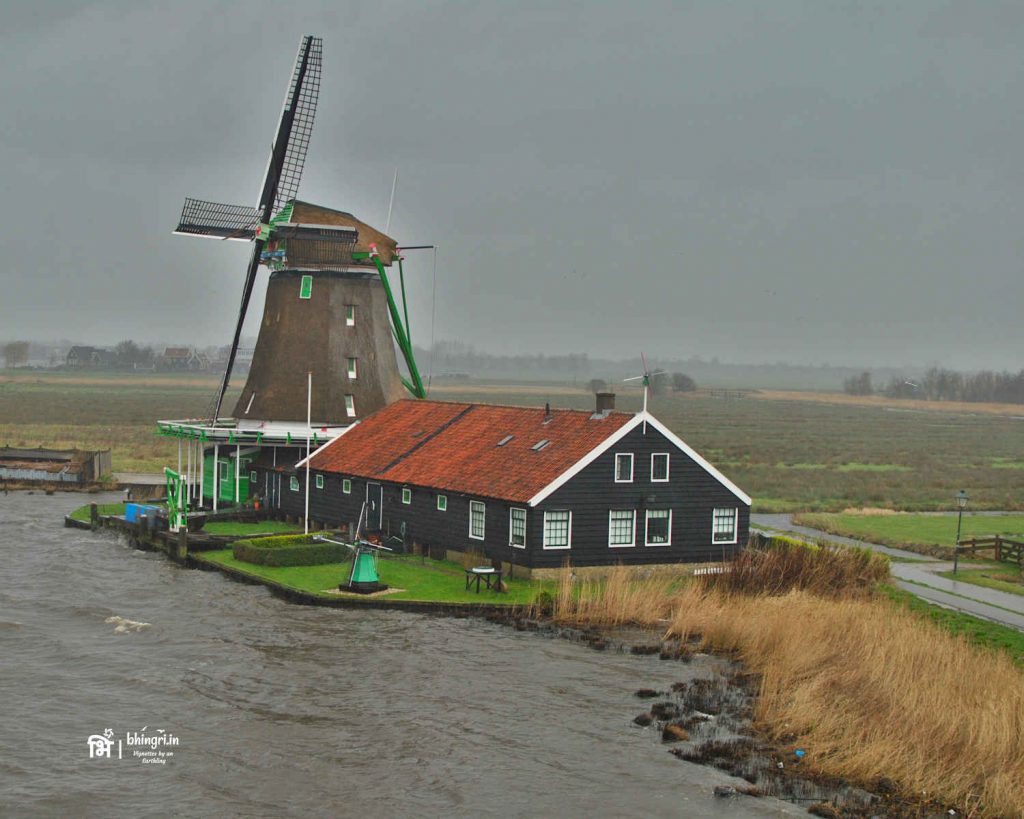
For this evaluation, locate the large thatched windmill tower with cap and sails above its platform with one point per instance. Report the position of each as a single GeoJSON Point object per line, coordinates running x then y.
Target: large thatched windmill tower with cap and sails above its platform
{"type": "Point", "coordinates": [330, 308]}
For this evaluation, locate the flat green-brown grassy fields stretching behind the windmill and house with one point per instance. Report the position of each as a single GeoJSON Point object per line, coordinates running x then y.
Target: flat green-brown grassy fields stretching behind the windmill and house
{"type": "Point", "coordinates": [790, 455]}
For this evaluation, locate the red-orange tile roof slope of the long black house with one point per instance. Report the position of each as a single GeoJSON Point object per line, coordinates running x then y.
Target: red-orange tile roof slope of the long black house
{"type": "Point", "coordinates": [454, 447]}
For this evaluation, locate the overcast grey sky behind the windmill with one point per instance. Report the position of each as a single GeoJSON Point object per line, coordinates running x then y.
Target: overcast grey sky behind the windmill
{"type": "Point", "coordinates": [810, 182]}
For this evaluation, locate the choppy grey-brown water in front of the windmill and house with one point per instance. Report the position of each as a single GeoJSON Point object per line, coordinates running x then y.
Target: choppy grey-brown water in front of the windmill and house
{"type": "Point", "coordinates": [289, 711]}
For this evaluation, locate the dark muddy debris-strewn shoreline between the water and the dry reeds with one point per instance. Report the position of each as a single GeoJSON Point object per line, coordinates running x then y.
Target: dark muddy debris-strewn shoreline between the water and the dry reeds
{"type": "Point", "coordinates": [709, 720]}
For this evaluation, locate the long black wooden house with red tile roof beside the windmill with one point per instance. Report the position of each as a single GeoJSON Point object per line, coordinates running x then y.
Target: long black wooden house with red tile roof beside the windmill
{"type": "Point", "coordinates": [533, 487]}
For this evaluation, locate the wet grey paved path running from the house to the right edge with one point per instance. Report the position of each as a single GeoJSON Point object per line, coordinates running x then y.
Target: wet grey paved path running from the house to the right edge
{"type": "Point", "coordinates": [921, 579]}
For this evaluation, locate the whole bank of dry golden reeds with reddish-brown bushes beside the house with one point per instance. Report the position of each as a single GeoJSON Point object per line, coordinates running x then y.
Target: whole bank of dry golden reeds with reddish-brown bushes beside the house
{"type": "Point", "coordinates": [870, 692]}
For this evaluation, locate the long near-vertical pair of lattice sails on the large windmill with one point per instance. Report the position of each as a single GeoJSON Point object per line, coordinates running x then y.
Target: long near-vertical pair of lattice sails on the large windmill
{"type": "Point", "coordinates": [284, 171]}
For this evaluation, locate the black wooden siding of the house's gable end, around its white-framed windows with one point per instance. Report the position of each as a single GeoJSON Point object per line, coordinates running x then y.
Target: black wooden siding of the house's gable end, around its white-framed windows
{"type": "Point", "coordinates": [691, 493]}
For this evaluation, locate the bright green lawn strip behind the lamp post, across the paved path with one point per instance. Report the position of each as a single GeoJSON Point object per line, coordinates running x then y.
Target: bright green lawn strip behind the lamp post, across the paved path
{"type": "Point", "coordinates": [922, 530]}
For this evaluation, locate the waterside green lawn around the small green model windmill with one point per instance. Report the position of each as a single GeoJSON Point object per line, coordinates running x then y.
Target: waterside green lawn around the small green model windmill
{"type": "Point", "coordinates": [437, 581]}
